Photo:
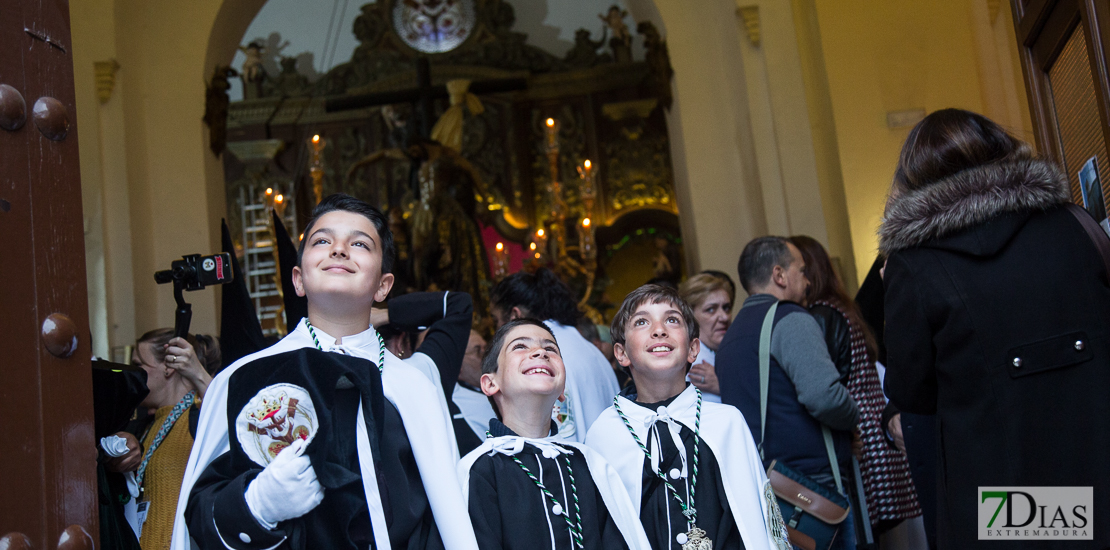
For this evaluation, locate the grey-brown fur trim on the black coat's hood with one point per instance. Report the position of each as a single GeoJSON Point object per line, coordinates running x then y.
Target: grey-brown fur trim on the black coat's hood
{"type": "Point", "coordinates": [970, 198]}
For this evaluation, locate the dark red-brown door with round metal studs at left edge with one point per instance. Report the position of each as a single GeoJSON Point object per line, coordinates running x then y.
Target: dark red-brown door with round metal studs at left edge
{"type": "Point", "coordinates": [48, 459]}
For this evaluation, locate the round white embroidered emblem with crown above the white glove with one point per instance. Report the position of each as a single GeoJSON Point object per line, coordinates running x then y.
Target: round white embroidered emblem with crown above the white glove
{"type": "Point", "coordinates": [274, 419]}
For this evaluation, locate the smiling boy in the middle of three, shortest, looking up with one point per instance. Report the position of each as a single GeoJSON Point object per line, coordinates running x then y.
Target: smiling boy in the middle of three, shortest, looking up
{"type": "Point", "coordinates": [527, 488]}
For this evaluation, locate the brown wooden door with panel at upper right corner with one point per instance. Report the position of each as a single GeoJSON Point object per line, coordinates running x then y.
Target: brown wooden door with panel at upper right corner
{"type": "Point", "coordinates": [1064, 47]}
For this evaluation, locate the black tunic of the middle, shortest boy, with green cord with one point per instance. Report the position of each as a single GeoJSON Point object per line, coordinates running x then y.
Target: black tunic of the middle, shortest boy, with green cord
{"type": "Point", "coordinates": [510, 513]}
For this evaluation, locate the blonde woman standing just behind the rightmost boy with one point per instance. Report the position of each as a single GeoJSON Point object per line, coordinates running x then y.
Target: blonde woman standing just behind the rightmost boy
{"type": "Point", "coordinates": [711, 297]}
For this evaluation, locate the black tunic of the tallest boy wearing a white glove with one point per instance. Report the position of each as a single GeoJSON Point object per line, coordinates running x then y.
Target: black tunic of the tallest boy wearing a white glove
{"type": "Point", "coordinates": [218, 515]}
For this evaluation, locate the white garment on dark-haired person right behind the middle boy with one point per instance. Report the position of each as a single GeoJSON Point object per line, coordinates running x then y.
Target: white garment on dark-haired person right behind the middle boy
{"type": "Point", "coordinates": [591, 383]}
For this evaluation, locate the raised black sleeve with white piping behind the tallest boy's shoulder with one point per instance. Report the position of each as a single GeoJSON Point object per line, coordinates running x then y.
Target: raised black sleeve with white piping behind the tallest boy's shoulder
{"type": "Point", "coordinates": [448, 318]}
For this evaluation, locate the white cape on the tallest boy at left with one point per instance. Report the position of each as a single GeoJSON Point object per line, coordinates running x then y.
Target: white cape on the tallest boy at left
{"type": "Point", "coordinates": [428, 427]}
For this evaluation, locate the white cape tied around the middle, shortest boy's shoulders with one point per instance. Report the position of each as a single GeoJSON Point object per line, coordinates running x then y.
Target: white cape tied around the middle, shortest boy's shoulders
{"type": "Point", "coordinates": [625, 516]}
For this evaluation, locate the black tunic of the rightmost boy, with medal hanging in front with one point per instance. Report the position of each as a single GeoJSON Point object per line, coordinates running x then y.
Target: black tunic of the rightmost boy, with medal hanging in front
{"type": "Point", "coordinates": [661, 514]}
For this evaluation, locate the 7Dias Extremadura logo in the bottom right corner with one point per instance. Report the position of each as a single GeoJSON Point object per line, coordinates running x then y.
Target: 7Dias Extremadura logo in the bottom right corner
{"type": "Point", "coordinates": [1036, 513]}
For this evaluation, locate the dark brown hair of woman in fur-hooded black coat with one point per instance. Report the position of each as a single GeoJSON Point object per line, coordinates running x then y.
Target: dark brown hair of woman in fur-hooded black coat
{"type": "Point", "coordinates": [951, 142]}
